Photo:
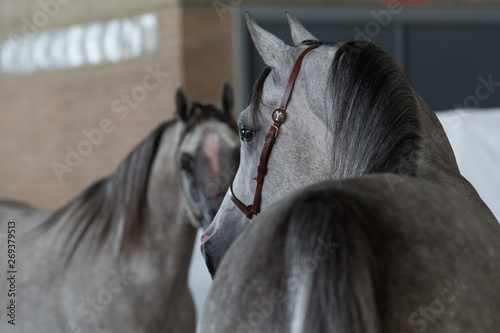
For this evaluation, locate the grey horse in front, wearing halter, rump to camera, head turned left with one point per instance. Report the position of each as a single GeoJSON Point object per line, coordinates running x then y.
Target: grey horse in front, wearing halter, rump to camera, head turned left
{"type": "Point", "coordinates": [367, 224]}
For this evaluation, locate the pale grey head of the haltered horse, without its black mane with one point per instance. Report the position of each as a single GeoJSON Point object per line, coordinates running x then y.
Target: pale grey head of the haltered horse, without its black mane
{"type": "Point", "coordinates": [300, 156]}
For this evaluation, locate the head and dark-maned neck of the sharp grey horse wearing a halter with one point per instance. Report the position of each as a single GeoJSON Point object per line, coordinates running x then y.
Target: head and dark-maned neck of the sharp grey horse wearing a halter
{"type": "Point", "coordinates": [352, 112]}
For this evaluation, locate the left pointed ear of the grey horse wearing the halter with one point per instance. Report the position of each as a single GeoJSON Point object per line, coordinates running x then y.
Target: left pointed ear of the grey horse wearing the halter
{"type": "Point", "coordinates": [272, 49]}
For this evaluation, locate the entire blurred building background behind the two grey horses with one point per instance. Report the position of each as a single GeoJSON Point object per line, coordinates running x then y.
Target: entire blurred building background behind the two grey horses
{"type": "Point", "coordinates": [68, 64]}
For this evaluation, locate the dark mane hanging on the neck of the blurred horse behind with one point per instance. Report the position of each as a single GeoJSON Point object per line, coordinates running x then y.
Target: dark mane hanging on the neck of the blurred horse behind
{"type": "Point", "coordinates": [116, 204]}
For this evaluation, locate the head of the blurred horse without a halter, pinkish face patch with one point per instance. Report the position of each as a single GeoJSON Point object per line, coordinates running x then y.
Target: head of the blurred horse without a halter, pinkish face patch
{"type": "Point", "coordinates": [208, 154]}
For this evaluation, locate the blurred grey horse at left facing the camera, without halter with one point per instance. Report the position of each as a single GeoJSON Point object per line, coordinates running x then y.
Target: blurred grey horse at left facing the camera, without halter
{"type": "Point", "coordinates": [116, 257]}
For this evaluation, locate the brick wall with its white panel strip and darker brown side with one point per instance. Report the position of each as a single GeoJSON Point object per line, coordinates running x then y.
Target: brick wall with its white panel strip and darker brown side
{"type": "Point", "coordinates": [67, 64]}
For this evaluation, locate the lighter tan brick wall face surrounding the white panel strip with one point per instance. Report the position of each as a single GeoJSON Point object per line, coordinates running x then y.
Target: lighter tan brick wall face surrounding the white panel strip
{"type": "Point", "coordinates": [43, 113]}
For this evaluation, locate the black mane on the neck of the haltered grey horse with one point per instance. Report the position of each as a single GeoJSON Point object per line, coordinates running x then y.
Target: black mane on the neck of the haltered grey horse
{"type": "Point", "coordinates": [374, 120]}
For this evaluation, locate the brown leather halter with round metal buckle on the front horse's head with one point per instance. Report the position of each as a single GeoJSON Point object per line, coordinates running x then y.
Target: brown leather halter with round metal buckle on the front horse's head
{"type": "Point", "coordinates": [278, 116]}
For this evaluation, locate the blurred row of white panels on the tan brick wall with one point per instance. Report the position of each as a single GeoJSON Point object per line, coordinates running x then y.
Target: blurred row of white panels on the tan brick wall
{"type": "Point", "coordinates": [80, 45]}
